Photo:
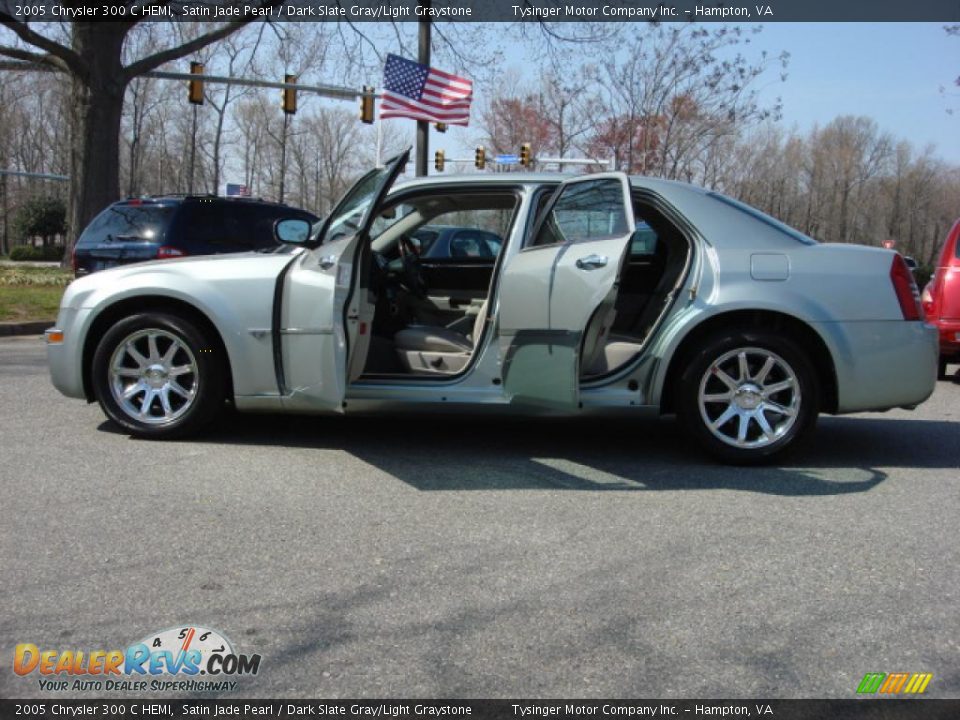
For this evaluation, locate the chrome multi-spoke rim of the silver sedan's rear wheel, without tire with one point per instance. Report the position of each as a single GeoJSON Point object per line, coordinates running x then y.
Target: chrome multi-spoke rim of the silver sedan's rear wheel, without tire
{"type": "Point", "coordinates": [749, 398]}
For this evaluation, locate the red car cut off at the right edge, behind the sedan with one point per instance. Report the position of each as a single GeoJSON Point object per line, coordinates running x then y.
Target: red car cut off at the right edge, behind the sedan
{"type": "Point", "coordinates": [941, 300]}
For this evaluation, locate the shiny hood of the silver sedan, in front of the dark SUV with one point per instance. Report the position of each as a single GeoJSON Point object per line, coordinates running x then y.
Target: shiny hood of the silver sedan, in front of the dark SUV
{"type": "Point", "coordinates": [240, 267]}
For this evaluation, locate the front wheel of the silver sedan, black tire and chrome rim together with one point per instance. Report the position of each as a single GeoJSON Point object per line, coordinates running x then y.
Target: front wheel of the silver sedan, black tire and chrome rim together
{"type": "Point", "coordinates": [158, 376]}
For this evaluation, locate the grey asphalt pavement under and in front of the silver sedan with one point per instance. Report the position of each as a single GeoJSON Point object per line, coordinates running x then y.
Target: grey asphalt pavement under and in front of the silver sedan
{"type": "Point", "coordinates": [474, 558]}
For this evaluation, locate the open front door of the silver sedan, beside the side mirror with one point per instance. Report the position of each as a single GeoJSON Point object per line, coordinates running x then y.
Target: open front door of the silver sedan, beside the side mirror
{"type": "Point", "coordinates": [319, 327]}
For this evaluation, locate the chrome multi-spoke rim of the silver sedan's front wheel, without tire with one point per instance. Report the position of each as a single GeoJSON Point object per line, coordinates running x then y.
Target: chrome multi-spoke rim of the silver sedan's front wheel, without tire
{"type": "Point", "coordinates": [153, 376]}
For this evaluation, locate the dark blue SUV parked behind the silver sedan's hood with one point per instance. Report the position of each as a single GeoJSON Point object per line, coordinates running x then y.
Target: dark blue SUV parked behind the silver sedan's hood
{"type": "Point", "coordinates": [161, 227]}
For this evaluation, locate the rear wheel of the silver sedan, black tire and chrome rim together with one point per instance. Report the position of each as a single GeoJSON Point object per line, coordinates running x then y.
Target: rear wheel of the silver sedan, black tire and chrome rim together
{"type": "Point", "coordinates": [748, 397]}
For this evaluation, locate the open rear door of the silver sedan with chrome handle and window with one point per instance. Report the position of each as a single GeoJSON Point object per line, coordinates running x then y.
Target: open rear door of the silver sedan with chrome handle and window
{"type": "Point", "coordinates": [565, 277]}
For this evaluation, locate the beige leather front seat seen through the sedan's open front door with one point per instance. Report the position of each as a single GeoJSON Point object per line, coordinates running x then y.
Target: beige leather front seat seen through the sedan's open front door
{"type": "Point", "coordinates": [438, 350]}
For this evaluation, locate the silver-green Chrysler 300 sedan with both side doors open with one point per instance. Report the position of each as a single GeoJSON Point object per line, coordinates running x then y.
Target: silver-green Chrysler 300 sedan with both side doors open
{"type": "Point", "coordinates": [606, 294]}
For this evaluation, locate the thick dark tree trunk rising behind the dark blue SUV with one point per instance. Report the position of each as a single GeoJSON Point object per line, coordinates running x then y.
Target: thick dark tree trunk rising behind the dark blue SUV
{"type": "Point", "coordinates": [96, 109]}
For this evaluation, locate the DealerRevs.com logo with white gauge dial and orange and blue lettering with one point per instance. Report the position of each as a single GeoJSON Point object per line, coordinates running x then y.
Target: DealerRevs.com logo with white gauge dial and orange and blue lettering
{"type": "Point", "coordinates": [187, 659]}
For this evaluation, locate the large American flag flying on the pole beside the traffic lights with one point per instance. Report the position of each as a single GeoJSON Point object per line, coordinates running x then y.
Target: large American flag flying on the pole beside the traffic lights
{"type": "Point", "coordinates": [424, 93]}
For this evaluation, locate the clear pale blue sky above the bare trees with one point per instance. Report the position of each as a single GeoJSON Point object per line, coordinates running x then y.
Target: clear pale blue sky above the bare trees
{"type": "Point", "coordinates": [891, 72]}
